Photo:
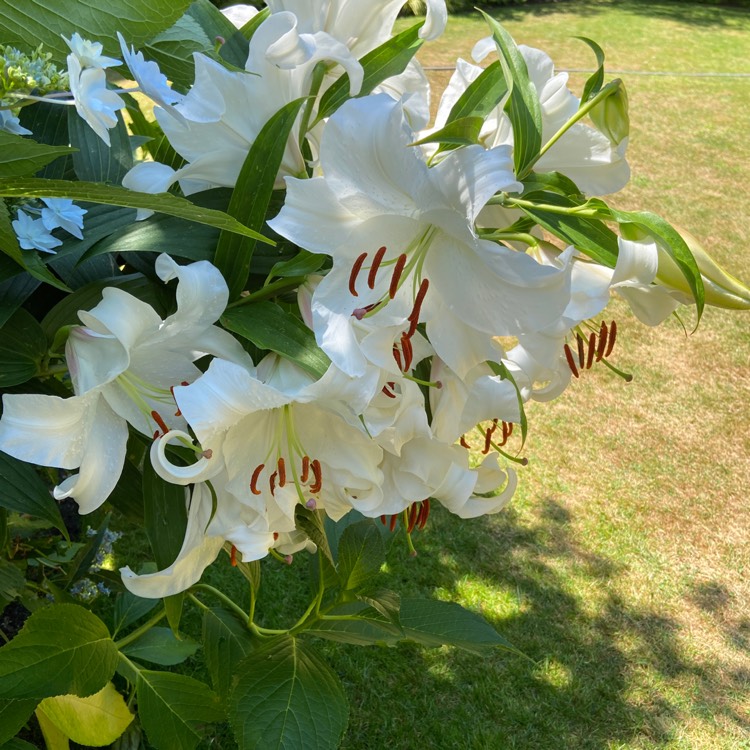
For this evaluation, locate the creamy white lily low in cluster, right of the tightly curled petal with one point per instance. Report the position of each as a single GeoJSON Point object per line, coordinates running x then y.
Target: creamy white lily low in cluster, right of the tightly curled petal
{"type": "Point", "coordinates": [284, 438]}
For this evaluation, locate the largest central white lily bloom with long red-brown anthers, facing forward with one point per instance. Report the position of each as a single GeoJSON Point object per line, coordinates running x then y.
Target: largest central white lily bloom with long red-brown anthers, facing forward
{"type": "Point", "coordinates": [377, 191]}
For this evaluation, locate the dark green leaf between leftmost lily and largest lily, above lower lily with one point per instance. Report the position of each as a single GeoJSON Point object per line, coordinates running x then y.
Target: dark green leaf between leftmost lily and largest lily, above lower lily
{"type": "Point", "coordinates": [269, 326]}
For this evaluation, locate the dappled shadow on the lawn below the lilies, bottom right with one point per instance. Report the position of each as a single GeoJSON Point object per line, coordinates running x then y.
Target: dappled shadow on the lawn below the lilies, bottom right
{"type": "Point", "coordinates": [603, 673]}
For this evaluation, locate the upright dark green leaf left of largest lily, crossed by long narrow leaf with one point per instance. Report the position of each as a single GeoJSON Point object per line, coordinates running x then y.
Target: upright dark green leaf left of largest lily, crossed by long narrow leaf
{"type": "Point", "coordinates": [252, 194]}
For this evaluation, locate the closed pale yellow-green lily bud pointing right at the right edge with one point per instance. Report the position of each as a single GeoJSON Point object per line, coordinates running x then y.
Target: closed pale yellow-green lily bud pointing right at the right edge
{"type": "Point", "coordinates": [721, 289]}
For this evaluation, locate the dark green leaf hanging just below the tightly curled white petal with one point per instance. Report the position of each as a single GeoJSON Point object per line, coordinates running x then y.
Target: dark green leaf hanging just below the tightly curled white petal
{"type": "Point", "coordinates": [165, 516]}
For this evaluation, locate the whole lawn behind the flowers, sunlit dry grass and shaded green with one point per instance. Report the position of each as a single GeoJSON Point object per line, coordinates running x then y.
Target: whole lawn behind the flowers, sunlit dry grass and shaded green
{"type": "Point", "coordinates": [621, 567]}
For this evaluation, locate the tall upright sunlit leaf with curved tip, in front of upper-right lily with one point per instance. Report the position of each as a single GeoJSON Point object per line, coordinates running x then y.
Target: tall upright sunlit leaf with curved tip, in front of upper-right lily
{"type": "Point", "coordinates": [523, 106]}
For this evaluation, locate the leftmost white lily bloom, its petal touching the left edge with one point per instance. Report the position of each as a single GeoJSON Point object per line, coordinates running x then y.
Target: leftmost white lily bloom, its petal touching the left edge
{"type": "Point", "coordinates": [123, 362]}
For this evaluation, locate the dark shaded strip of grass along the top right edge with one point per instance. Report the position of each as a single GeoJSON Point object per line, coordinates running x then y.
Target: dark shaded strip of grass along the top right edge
{"type": "Point", "coordinates": [696, 14]}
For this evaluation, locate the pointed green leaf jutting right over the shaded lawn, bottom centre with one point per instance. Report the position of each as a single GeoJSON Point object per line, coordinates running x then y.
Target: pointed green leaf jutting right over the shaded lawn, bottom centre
{"type": "Point", "coordinates": [435, 623]}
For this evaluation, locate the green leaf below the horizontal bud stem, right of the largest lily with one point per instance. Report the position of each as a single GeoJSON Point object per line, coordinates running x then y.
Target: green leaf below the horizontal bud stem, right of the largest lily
{"type": "Point", "coordinates": [590, 236]}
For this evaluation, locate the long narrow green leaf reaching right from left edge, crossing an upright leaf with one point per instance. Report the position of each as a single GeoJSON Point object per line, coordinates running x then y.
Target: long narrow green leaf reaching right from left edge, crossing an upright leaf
{"type": "Point", "coordinates": [167, 203]}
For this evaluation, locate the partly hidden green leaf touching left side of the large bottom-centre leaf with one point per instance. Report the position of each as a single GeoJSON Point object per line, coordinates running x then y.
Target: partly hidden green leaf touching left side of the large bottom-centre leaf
{"type": "Point", "coordinates": [226, 641]}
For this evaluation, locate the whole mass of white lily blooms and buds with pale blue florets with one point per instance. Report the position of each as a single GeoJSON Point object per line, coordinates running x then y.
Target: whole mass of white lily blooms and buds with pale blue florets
{"type": "Point", "coordinates": [440, 305]}
